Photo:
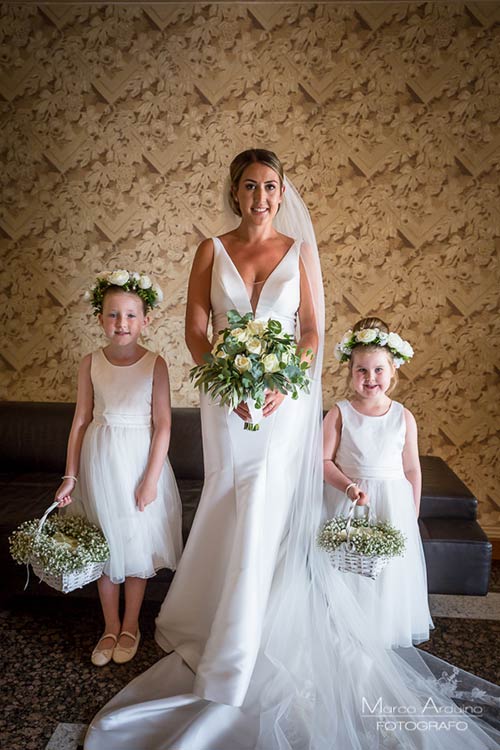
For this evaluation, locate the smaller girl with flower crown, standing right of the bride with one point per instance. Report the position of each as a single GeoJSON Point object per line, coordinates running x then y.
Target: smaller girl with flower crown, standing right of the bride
{"type": "Point", "coordinates": [371, 457]}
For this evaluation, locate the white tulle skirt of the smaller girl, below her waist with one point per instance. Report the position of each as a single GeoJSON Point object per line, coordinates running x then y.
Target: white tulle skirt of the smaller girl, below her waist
{"type": "Point", "coordinates": [396, 602]}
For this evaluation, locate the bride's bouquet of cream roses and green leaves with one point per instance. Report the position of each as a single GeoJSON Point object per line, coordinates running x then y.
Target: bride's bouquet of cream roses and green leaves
{"type": "Point", "coordinates": [249, 358]}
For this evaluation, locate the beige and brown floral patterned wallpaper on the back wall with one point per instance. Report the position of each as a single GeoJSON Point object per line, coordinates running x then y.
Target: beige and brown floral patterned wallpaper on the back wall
{"type": "Point", "coordinates": [118, 123]}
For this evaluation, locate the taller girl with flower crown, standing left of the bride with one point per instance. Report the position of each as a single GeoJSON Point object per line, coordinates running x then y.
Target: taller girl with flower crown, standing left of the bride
{"type": "Point", "coordinates": [117, 470]}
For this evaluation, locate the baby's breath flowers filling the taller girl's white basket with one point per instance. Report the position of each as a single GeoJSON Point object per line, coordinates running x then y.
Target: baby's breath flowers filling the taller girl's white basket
{"type": "Point", "coordinates": [65, 544]}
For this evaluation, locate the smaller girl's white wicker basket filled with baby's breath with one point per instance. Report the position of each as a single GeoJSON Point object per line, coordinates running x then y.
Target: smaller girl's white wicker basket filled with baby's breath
{"type": "Point", "coordinates": [358, 546]}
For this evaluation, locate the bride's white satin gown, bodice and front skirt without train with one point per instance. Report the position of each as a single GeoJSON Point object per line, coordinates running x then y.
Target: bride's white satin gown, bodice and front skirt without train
{"type": "Point", "coordinates": [215, 608]}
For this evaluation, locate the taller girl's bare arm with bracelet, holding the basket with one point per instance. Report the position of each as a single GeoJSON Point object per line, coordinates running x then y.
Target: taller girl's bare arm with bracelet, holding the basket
{"type": "Point", "coordinates": [81, 420]}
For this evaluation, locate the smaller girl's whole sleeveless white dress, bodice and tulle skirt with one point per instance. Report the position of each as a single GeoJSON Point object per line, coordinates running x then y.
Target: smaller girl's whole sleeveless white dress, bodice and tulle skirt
{"type": "Point", "coordinates": [370, 452]}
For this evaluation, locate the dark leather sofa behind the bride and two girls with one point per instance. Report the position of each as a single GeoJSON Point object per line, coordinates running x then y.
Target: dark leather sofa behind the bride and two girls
{"type": "Point", "coordinates": [33, 439]}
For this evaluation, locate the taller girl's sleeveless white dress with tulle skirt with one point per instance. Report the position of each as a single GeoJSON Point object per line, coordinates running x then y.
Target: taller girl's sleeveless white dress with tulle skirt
{"type": "Point", "coordinates": [114, 455]}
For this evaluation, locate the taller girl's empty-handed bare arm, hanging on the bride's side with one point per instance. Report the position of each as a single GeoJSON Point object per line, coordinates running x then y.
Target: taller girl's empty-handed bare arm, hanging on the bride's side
{"type": "Point", "coordinates": [161, 412]}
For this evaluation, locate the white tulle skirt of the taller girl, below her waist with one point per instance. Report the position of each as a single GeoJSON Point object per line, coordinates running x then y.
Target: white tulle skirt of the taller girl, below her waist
{"type": "Point", "coordinates": [113, 461]}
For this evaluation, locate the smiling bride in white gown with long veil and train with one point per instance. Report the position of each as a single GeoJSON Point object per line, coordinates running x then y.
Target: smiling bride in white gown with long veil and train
{"type": "Point", "coordinates": [267, 647]}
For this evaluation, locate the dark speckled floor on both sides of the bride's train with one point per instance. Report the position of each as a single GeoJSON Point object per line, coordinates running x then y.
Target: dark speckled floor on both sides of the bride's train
{"type": "Point", "coordinates": [49, 688]}
